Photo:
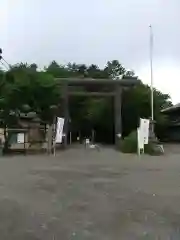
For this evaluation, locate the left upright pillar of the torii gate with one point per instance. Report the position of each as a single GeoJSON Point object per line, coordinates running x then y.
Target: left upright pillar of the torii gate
{"type": "Point", "coordinates": [66, 113]}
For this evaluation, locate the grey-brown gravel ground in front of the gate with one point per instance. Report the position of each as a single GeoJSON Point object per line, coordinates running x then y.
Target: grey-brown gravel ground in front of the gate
{"type": "Point", "coordinates": [86, 194]}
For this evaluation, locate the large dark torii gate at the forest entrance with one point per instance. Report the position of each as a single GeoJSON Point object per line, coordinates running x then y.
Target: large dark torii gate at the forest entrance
{"type": "Point", "coordinates": [107, 88]}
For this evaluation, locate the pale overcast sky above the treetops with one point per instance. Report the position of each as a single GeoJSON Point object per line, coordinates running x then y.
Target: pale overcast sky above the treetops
{"type": "Point", "coordinates": [95, 31]}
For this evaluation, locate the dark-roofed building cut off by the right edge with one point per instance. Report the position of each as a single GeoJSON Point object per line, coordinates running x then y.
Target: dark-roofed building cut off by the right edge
{"type": "Point", "coordinates": [172, 132]}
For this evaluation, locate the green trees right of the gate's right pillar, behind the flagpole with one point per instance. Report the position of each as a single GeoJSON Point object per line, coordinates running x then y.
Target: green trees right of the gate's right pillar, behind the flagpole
{"type": "Point", "coordinates": [136, 104]}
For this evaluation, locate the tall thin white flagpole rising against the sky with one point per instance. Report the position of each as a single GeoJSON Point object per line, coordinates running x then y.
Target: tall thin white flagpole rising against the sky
{"type": "Point", "coordinates": [151, 67]}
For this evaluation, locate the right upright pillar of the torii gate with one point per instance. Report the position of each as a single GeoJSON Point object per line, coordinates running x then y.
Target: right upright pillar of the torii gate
{"type": "Point", "coordinates": [117, 115]}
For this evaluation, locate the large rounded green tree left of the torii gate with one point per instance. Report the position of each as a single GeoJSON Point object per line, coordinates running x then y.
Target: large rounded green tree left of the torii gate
{"type": "Point", "coordinates": [25, 89]}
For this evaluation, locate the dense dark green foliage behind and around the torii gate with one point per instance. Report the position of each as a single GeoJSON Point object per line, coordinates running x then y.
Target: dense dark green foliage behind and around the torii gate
{"type": "Point", "coordinates": [24, 88]}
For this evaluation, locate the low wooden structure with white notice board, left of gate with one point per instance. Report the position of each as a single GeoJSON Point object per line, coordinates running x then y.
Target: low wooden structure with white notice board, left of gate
{"type": "Point", "coordinates": [28, 134]}
